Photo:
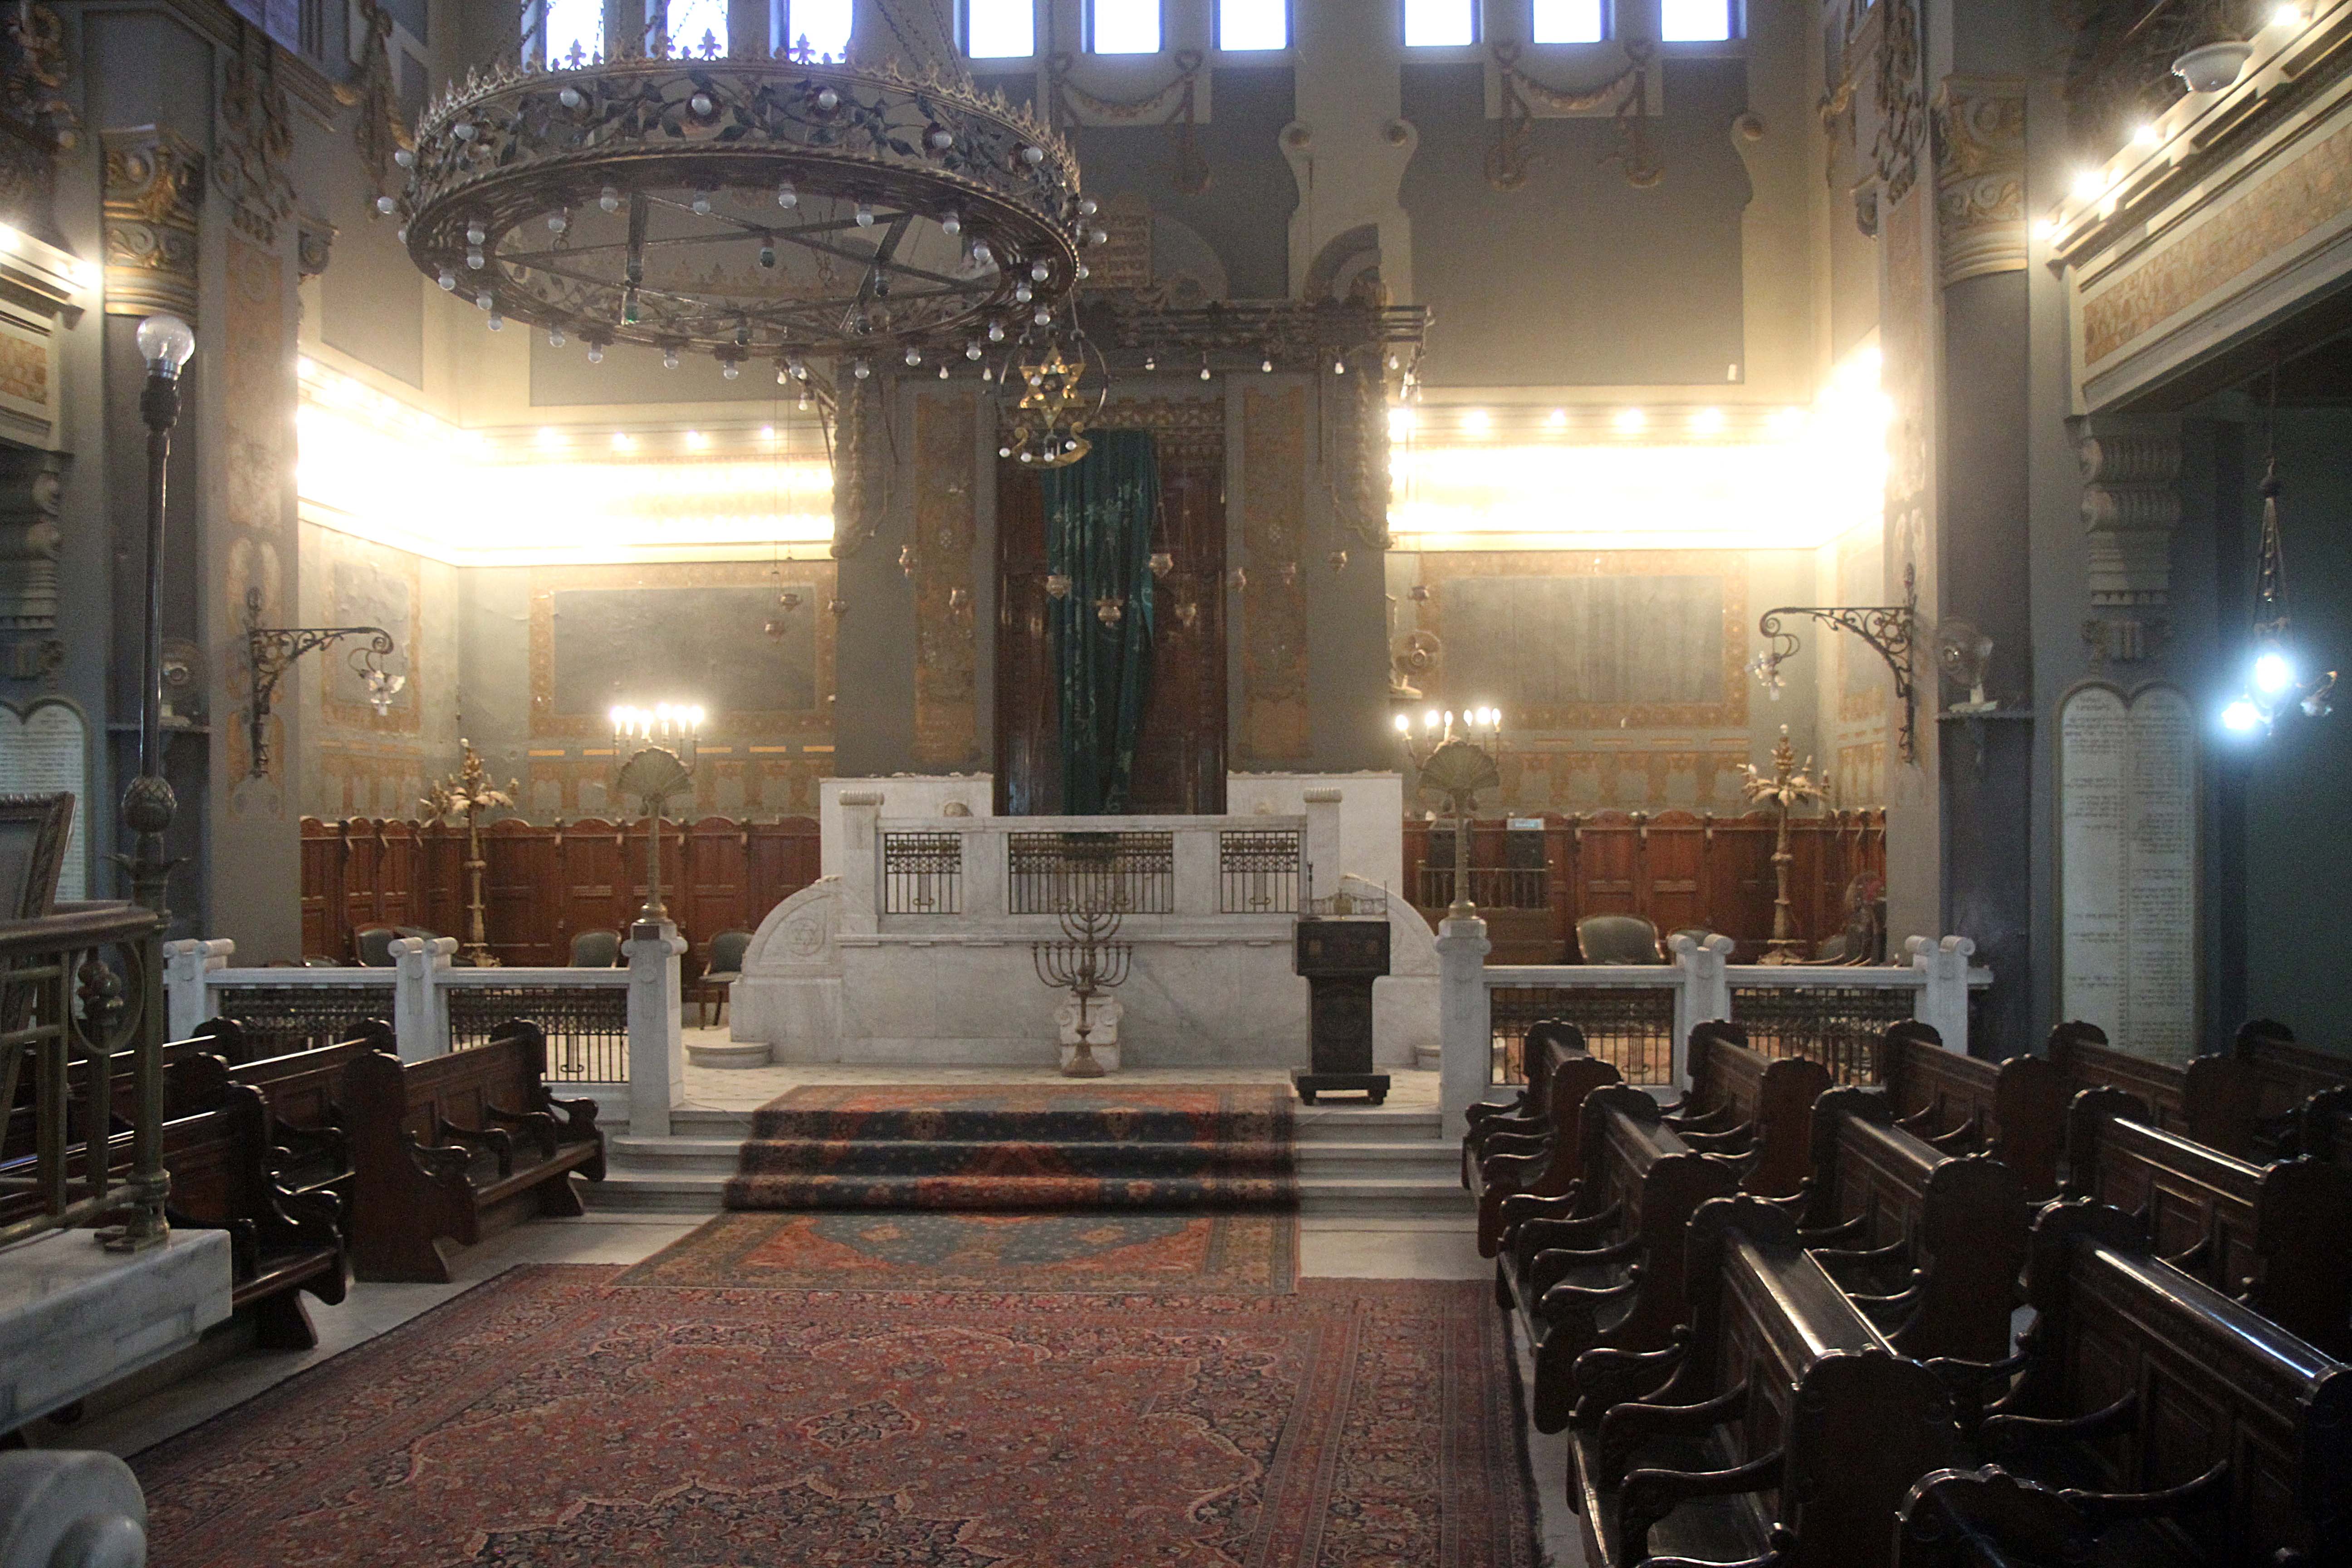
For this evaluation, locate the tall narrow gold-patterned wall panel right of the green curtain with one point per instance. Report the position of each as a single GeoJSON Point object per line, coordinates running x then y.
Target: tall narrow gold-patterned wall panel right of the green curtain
{"type": "Point", "coordinates": [1276, 603]}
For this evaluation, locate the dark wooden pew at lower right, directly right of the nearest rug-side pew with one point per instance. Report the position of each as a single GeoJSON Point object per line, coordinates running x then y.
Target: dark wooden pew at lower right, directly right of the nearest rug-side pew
{"type": "Point", "coordinates": [2210, 1381]}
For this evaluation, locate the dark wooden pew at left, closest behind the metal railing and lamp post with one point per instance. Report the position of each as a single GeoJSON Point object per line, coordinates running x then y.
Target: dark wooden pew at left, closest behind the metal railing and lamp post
{"type": "Point", "coordinates": [220, 1165]}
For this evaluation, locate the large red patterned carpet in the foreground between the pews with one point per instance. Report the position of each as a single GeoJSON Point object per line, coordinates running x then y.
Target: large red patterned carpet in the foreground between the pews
{"type": "Point", "coordinates": [552, 1421]}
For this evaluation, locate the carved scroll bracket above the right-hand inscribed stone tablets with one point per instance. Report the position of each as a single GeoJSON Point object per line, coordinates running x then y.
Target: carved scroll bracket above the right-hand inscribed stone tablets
{"type": "Point", "coordinates": [2130, 511]}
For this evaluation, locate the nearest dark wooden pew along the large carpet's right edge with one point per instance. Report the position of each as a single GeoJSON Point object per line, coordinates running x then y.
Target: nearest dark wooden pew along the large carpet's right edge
{"type": "Point", "coordinates": [1855, 1421]}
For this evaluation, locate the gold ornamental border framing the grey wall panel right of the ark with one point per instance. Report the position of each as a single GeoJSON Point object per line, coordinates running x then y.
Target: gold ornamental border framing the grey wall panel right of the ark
{"type": "Point", "coordinates": [1730, 704]}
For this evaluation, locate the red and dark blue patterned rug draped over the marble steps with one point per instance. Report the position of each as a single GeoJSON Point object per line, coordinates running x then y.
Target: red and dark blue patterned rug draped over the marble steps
{"type": "Point", "coordinates": [1020, 1146]}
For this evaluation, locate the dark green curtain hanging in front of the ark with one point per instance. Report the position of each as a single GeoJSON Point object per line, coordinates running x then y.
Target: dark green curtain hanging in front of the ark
{"type": "Point", "coordinates": [1100, 532]}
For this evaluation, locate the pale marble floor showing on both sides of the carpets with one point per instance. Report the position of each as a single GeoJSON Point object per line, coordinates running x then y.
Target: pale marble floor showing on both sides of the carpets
{"type": "Point", "coordinates": [1330, 1249]}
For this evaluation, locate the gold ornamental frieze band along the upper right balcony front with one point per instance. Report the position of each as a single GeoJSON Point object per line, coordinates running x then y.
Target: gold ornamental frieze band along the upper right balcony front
{"type": "Point", "coordinates": [2231, 241]}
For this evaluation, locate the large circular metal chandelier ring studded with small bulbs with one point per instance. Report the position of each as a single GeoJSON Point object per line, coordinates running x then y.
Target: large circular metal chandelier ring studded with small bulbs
{"type": "Point", "coordinates": [747, 208]}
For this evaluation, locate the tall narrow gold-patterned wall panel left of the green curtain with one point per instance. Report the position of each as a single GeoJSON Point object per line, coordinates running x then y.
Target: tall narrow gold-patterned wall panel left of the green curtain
{"type": "Point", "coordinates": [947, 652]}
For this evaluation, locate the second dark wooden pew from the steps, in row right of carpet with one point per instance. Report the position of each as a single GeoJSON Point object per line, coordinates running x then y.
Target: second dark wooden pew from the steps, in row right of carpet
{"type": "Point", "coordinates": [1608, 1271]}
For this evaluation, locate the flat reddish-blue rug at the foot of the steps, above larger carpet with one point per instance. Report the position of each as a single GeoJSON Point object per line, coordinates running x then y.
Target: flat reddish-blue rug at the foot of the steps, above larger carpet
{"type": "Point", "coordinates": [1252, 1252]}
